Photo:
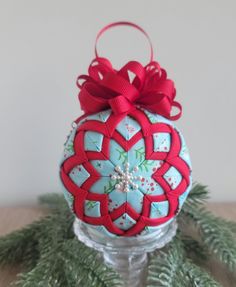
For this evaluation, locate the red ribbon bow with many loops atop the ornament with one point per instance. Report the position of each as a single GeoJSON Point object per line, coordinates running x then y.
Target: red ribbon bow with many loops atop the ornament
{"type": "Point", "coordinates": [133, 85]}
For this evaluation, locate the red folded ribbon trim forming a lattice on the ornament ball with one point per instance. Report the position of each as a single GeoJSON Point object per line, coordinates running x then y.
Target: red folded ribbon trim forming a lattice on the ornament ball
{"type": "Point", "coordinates": [108, 129]}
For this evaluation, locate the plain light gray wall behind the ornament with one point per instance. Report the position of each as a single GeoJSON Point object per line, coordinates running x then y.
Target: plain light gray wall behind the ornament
{"type": "Point", "coordinates": [45, 44]}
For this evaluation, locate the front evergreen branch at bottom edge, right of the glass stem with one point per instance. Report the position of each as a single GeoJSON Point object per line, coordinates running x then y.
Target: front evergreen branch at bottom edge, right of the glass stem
{"type": "Point", "coordinates": [172, 267]}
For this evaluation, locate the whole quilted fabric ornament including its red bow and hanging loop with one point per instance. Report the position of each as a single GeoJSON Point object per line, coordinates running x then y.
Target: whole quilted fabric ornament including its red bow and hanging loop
{"type": "Point", "coordinates": [126, 169]}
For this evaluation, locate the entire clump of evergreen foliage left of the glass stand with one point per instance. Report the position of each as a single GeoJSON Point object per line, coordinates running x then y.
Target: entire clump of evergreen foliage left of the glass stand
{"type": "Point", "coordinates": [51, 253]}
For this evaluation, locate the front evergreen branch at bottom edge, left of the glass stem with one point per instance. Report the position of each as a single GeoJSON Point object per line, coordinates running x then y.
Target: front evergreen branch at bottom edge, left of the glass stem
{"type": "Point", "coordinates": [70, 263]}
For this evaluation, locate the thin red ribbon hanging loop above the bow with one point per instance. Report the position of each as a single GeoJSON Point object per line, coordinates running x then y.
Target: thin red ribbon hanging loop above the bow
{"type": "Point", "coordinates": [123, 23]}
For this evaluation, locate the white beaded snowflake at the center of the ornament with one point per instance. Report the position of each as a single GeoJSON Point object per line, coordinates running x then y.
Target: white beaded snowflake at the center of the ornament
{"type": "Point", "coordinates": [125, 178]}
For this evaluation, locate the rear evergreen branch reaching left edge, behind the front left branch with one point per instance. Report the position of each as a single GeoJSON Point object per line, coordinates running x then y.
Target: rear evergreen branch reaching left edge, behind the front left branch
{"type": "Point", "coordinates": [25, 246]}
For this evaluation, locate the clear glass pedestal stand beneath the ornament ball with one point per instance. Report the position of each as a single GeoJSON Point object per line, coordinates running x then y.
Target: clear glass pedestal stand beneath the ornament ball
{"type": "Point", "coordinates": [126, 255]}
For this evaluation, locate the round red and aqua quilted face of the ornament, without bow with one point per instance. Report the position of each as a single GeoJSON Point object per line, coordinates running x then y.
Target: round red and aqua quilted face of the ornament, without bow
{"type": "Point", "coordinates": [115, 207]}
